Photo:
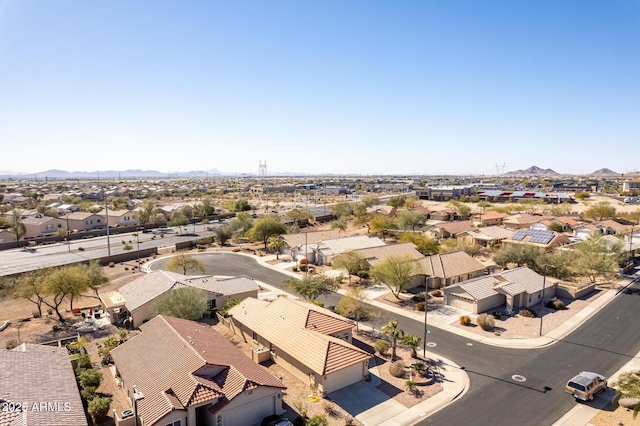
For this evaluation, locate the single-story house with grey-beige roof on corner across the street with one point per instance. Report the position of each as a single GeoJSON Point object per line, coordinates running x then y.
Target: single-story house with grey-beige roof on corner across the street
{"type": "Point", "coordinates": [515, 288]}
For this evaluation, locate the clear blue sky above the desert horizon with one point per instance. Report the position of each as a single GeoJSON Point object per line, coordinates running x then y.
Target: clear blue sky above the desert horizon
{"type": "Point", "coordinates": [369, 87]}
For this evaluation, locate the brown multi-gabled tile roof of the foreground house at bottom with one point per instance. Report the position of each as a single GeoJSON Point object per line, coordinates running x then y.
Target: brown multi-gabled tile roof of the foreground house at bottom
{"type": "Point", "coordinates": [177, 363]}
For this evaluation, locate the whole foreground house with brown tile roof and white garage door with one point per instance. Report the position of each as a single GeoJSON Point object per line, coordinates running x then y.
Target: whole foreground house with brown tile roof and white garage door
{"type": "Point", "coordinates": [183, 373]}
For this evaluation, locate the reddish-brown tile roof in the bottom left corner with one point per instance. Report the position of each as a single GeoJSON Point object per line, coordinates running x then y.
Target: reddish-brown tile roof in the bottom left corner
{"type": "Point", "coordinates": [36, 374]}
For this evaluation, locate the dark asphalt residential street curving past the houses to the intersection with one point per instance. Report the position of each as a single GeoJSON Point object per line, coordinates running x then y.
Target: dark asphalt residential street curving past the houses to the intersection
{"type": "Point", "coordinates": [495, 397]}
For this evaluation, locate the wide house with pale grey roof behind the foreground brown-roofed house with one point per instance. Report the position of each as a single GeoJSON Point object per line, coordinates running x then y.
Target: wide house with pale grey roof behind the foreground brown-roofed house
{"type": "Point", "coordinates": [138, 299]}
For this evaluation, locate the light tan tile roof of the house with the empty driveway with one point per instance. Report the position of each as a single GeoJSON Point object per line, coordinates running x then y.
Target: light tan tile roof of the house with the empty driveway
{"type": "Point", "coordinates": [297, 329]}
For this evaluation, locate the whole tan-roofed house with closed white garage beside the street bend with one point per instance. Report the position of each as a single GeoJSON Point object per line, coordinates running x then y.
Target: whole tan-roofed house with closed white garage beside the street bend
{"type": "Point", "coordinates": [312, 343]}
